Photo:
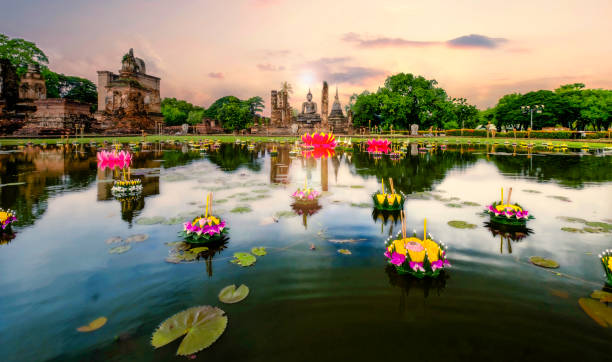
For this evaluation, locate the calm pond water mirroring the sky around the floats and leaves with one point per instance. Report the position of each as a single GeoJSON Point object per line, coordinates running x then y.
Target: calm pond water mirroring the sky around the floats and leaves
{"type": "Point", "coordinates": [57, 272]}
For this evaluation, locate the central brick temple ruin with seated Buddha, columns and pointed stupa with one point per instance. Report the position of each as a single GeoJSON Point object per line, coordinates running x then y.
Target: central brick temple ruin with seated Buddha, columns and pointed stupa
{"type": "Point", "coordinates": [285, 120]}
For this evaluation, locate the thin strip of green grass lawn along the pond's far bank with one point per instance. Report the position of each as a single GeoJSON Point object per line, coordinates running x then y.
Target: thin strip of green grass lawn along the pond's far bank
{"type": "Point", "coordinates": [600, 143]}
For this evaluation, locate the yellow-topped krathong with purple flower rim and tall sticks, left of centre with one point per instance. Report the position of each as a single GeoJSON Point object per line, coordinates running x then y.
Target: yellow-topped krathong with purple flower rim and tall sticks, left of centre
{"type": "Point", "coordinates": [204, 228]}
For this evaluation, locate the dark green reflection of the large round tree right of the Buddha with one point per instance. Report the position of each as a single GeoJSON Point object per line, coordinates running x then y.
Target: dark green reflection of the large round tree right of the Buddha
{"type": "Point", "coordinates": [411, 174]}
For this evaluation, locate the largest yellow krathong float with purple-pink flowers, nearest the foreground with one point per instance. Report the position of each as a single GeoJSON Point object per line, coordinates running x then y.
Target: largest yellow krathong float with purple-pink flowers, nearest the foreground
{"type": "Point", "coordinates": [419, 258]}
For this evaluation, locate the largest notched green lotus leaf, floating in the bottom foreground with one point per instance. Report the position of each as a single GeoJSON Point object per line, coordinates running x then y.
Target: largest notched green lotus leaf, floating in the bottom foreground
{"type": "Point", "coordinates": [203, 326]}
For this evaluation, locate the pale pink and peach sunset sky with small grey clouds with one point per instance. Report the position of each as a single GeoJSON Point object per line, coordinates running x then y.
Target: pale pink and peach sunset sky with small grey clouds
{"type": "Point", "coordinates": [202, 50]}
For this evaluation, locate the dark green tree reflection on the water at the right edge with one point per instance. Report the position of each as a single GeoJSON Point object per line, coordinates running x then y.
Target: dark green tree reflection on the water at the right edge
{"type": "Point", "coordinates": [571, 171]}
